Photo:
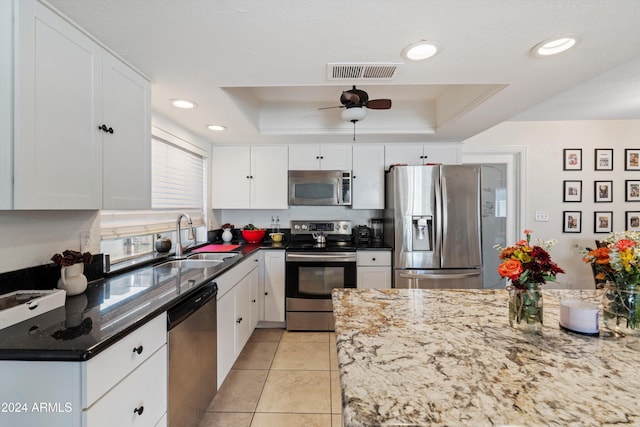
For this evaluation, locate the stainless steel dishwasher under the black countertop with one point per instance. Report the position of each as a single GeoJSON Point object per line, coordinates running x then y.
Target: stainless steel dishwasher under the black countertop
{"type": "Point", "coordinates": [193, 361]}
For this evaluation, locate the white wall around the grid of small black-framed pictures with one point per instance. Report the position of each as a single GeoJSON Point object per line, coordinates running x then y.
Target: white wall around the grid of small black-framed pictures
{"type": "Point", "coordinates": [544, 176]}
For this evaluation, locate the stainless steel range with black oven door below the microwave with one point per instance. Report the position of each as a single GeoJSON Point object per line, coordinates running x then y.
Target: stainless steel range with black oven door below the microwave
{"type": "Point", "coordinates": [319, 258]}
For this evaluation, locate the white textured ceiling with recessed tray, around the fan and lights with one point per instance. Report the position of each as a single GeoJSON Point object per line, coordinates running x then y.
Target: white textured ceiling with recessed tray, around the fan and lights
{"type": "Point", "coordinates": [260, 67]}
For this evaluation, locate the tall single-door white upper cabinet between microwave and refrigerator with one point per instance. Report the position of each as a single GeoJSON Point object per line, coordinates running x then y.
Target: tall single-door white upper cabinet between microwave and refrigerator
{"type": "Point", "coordinates": [368, 177]}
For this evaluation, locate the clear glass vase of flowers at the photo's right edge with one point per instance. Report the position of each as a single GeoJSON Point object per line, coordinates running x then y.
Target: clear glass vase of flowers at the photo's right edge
{"type": "Point", "coordinates": [621, 309]}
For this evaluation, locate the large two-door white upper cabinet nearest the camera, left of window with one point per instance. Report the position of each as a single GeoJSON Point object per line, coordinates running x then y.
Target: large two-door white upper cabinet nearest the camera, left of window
{"type": "Point", "coordinates": [66, 87]}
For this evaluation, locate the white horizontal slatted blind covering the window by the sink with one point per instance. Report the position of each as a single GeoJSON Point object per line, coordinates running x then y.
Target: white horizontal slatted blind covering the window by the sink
{"type": "Point", "coordinates": [177, 185]}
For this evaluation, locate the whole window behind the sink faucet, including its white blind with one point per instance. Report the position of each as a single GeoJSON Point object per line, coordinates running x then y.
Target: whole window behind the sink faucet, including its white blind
{"type": "Point", "coordinates": [178, 174]}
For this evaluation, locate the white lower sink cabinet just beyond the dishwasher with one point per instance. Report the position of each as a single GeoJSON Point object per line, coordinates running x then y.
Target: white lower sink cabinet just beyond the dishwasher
{"type": "Point", "coordinates": [238, 311]}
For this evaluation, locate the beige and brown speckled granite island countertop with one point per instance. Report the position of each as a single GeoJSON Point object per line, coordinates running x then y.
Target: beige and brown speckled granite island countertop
{"type": "Point", "coordinates": [449, 358]}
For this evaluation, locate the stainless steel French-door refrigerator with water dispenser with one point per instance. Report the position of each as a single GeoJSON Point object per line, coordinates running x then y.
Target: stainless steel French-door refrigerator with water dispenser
{"type": "Point", "coordinates": [432, 221]}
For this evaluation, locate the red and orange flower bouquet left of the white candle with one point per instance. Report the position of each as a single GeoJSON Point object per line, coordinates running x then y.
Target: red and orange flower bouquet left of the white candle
{"type": "Point", "coordinates": [526, 265]}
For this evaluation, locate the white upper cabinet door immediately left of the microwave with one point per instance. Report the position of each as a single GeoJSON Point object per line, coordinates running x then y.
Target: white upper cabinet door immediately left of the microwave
{"type": "Point", "coordinates": [269, 182]}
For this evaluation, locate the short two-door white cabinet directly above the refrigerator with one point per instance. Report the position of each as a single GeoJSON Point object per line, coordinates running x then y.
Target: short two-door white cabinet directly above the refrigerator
{"type": "Point", "coordinates": [420, 154]}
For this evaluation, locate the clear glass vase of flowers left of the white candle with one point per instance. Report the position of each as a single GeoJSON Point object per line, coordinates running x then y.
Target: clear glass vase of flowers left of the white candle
{"type": "Point", "coordinates": [525, 308]}
